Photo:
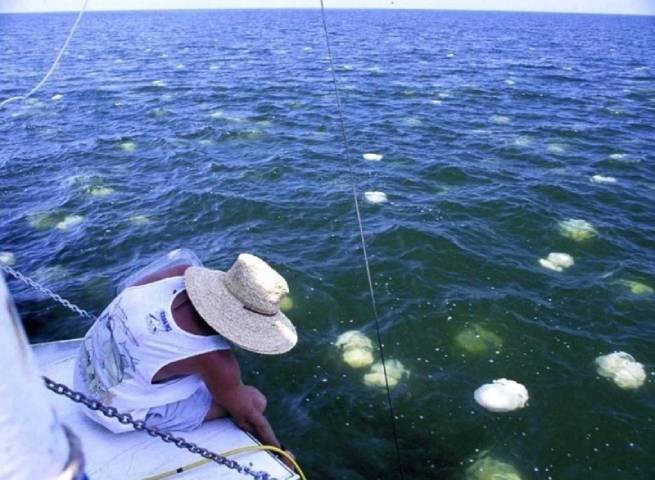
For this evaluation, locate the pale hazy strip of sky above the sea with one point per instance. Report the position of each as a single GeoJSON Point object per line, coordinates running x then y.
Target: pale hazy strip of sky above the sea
{"type": "Point", "coordinates": [644, 7]}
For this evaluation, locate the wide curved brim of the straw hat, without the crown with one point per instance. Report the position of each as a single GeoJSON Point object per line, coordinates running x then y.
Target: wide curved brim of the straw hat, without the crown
{"type": "Point", "coordinates": [227, 315]}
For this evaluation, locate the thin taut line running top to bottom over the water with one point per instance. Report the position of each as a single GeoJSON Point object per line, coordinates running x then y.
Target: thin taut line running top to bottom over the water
{"type": "Point", "coordinates": [361, 235]}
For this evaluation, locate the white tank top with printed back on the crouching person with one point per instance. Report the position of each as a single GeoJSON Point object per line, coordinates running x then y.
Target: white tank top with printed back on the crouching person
{"type": "Point", "coordinates": [130, 342]}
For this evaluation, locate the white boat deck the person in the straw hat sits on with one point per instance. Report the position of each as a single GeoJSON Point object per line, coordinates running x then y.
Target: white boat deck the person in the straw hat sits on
{"type": "Point", "coordinates": [136, 455]}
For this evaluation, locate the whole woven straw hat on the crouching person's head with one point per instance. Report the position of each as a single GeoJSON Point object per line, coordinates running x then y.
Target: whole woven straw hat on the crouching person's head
{"type": "Point", "coordinates": [243, 304]}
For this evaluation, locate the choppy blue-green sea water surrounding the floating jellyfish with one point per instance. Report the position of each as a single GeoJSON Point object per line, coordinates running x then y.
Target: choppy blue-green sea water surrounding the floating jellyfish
{"type": "Point", "coordinates": [218, 131]}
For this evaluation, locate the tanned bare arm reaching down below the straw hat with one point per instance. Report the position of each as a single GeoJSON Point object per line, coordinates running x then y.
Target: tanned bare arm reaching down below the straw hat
{"type": "Point", "coordinates": [222, 375]}
